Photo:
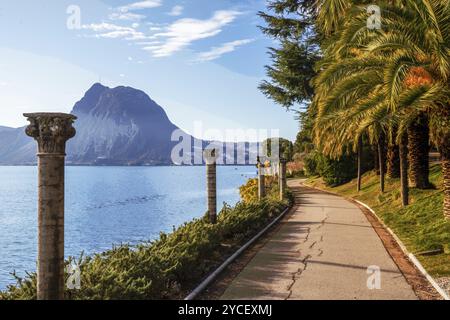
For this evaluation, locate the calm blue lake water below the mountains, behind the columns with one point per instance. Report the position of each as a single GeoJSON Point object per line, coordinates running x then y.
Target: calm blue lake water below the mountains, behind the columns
{"type": "Point", "coordinates": [105, 206]}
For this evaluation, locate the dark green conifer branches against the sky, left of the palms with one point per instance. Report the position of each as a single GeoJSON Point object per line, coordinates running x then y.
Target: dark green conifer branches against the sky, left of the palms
{"type": "Point", "coordinates": [291, 22]}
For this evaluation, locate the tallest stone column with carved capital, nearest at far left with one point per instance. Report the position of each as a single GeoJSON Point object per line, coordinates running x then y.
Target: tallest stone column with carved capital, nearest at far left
{"type": "Point", "coordinates": [51, 131]}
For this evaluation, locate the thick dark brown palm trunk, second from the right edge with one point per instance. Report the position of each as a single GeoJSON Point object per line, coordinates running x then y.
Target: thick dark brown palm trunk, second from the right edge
{"type": "Point", "coordinates": [418, 150]}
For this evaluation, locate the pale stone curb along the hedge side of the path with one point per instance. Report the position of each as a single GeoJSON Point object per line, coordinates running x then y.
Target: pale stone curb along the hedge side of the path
{"type": "Point", "coordinates": [212, 276]}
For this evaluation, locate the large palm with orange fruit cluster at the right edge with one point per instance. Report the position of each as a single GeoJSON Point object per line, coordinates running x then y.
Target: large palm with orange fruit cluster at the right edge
{"type": "Point", "coordinates": [418, 42]}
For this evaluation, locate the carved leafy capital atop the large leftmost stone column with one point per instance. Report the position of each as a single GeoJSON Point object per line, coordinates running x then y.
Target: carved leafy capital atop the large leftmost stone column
{"type": "Point", "coordinates": [51, 131]}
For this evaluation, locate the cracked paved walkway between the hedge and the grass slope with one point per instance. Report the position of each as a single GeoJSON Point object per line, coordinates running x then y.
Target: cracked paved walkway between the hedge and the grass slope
{"type": "Point", "coordinates": [321, 251]}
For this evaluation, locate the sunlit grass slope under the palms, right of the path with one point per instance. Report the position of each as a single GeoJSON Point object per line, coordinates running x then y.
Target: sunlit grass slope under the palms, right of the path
{"type": "Point", "coordinates": [421, 226]}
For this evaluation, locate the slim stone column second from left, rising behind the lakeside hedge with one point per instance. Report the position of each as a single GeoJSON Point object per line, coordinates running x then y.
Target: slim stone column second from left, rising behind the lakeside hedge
{"type": "Point", "coordinates": [211, 183]}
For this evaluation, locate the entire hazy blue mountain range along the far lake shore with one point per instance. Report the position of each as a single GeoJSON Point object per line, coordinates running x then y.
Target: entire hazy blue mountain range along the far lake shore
{"type": "Point", "coordinates": [115, 126]}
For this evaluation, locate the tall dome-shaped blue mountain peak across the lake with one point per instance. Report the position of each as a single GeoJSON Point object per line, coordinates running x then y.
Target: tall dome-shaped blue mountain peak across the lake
{"type": "Point", "coordinates": [120, 126]}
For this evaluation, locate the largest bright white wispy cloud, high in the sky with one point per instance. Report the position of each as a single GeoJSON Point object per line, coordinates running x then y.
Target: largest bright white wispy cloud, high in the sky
{"type": "Point", "coordinates": [183, 32]}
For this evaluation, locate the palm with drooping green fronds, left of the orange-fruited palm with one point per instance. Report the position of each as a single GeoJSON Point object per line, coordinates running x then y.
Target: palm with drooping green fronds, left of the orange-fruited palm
{"type": "Point", "coordinates": [346, 79]}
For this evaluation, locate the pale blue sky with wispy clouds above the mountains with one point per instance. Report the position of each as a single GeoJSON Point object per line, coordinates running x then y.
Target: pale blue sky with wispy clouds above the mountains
{"type": "Point", "coordinates": [201, 60]}
